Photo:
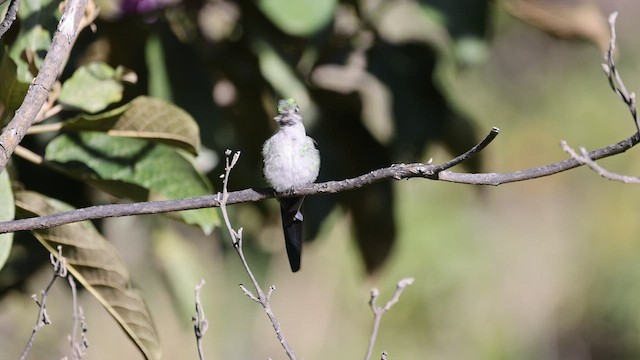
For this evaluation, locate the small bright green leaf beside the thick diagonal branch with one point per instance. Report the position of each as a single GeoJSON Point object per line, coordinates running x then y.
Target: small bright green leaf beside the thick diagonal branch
{"type": "Point", "coordinates": [92, 88]}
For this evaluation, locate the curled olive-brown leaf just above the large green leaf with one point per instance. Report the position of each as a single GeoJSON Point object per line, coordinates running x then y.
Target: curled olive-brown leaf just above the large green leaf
{"type": "Point", "coordinates": [144, 118]}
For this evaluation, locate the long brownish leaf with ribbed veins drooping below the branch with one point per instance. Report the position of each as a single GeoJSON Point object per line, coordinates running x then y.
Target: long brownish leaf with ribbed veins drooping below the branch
{"type": "Point", "coordinates": [98, 266]}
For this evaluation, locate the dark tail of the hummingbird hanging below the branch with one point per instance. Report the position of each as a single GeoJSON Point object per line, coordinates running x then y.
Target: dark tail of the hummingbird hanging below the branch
{"type": "Point", "coordinates": [290, 209]}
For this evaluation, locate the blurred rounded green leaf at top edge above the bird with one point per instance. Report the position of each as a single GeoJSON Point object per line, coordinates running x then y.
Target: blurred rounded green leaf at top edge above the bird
{"type": "Point", "coordinates": [299, 17]}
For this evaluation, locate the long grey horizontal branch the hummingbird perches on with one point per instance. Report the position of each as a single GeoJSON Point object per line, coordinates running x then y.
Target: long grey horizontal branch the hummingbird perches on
{"type": "Point", "coordinates": [397, 172]}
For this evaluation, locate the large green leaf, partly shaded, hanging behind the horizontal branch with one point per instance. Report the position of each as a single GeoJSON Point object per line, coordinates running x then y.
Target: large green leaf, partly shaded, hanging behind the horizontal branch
{"type": "Point", "coordinates": [124, 167]}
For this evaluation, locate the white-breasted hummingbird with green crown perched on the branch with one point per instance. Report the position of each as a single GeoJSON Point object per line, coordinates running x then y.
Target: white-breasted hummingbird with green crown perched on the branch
{"type": "Point", "coordinates": [291, 160]}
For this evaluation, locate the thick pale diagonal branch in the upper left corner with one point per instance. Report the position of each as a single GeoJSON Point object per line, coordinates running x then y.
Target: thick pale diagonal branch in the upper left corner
{"type": "Point", "coordinates": [38, 92]}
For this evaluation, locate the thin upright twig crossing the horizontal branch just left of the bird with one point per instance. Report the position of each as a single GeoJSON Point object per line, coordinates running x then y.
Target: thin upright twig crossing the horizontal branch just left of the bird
{"type": "Point", "coordinates": [236, 239]}
